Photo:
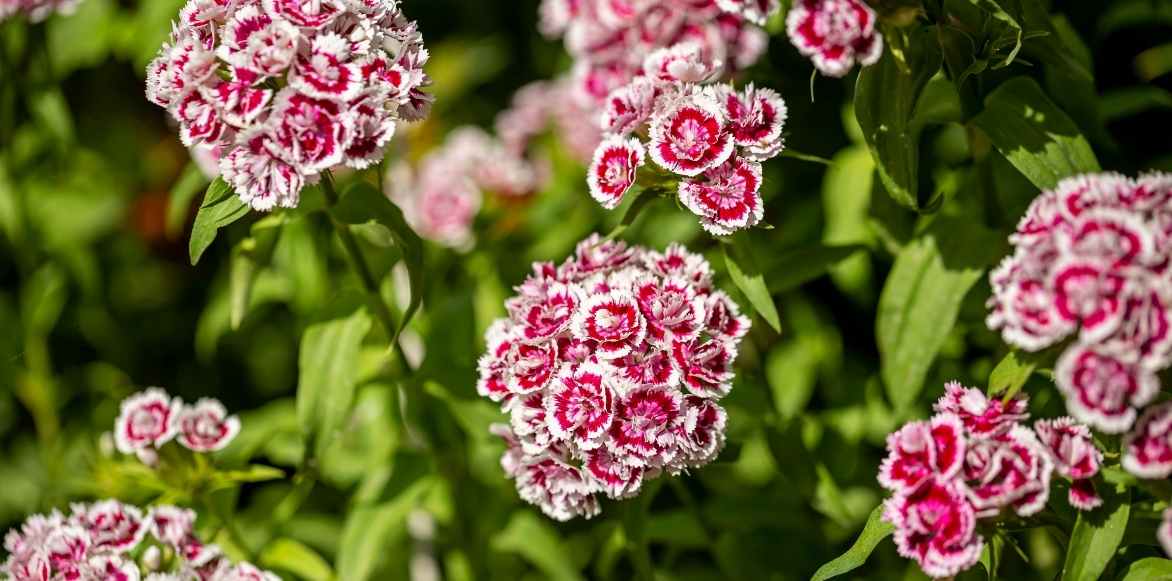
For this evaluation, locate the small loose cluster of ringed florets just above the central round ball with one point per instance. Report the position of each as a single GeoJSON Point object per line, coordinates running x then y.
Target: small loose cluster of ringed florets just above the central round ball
{"type": "Point", "coordinates": [711, 140]}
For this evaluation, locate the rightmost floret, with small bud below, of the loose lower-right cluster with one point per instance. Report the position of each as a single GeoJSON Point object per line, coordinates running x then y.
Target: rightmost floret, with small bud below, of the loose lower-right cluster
{"type": "Point", "coordinates": [1075, 457]}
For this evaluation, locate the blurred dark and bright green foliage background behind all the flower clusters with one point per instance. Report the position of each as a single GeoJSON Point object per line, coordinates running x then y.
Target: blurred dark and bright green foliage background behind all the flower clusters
{"type": "Point", "coordinates": [98, 300]}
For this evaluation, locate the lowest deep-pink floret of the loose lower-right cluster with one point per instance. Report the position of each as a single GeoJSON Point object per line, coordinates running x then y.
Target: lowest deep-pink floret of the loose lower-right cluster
{"type": "Point", "coordinates": [937, 528]}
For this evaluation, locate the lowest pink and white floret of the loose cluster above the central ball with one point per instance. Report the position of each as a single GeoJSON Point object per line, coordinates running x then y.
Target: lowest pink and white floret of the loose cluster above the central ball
{"type": "Point", "coordinates": [727, 197]}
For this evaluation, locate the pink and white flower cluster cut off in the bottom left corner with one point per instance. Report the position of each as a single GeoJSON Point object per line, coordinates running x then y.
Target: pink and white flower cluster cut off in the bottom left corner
{"type": "Point", "coordinates": [113, 542]}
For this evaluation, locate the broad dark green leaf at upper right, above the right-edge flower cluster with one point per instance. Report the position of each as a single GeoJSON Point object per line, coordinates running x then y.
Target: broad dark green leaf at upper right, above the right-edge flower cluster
{"type": "Point", "coordinates": [1037, 136]}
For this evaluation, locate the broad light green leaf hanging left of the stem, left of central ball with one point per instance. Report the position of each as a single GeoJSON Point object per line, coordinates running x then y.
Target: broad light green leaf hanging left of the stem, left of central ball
{"type": "Point", "coordinates": [329, 374]}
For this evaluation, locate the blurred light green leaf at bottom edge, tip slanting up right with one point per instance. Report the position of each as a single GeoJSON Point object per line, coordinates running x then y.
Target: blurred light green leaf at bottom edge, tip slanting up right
{"type": "Point", "coordinates": [371, 531]}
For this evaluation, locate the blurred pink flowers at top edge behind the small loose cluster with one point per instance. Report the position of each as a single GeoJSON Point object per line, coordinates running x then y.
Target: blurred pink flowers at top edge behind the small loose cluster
{"type": "Point", "coordinates": [610, 43]}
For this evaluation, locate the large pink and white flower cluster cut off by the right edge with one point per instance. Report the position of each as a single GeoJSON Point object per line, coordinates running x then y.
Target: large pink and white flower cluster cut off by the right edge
{"type": "Point", "coordinates": [1092, 262]}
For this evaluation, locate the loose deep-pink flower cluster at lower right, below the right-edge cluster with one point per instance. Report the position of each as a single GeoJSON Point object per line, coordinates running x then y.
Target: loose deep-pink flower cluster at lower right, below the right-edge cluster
{"type": "Point", "coordinates": [973, 461]}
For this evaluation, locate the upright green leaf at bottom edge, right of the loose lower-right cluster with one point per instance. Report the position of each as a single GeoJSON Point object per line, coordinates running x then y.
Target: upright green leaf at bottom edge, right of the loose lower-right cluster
{"type": "Point", "coordinates": [1098, 536]}
